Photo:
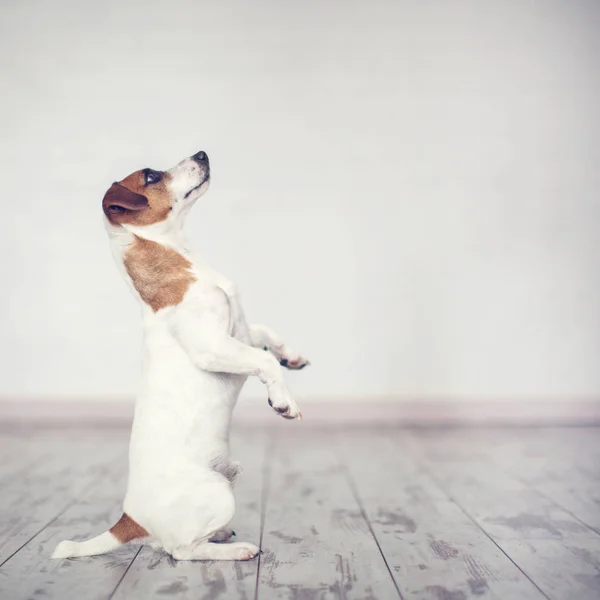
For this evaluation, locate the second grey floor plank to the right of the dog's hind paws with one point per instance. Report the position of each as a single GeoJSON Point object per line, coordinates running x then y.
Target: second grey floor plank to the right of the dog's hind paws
{"type": "Point", "coordinates": [433, 549]}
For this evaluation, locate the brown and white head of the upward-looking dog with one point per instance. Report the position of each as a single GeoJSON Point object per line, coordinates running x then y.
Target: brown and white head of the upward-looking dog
{"type": "Point", "coordinates": [148, 197]}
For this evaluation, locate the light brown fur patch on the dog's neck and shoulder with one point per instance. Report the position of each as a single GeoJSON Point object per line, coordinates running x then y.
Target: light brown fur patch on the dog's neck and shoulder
{"type": "Point", "coordinates": [160, 275]}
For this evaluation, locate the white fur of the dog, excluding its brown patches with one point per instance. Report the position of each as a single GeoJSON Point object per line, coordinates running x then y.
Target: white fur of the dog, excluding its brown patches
{"type": "Point", "coordinates": [196, 358]}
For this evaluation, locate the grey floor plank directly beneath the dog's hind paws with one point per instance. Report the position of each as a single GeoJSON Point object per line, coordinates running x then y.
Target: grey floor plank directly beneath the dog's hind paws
{"type": "Point", "coordinates": [155, 574]}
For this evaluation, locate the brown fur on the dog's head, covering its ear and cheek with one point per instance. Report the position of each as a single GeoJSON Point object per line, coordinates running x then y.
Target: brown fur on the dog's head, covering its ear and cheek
{"type": "Point", "coordinates": [134, 202]}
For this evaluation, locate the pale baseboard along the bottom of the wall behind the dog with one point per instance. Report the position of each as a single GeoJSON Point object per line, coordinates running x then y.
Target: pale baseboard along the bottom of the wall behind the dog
{"type": "Point", "coordinates": [325, 412]}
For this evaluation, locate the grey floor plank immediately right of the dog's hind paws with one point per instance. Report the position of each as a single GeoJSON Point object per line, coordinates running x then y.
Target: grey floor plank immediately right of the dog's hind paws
{"type": "Point", "coordinates": [316, 542]}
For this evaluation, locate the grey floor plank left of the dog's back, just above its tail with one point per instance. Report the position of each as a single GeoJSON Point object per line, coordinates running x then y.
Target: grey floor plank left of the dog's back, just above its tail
{"type": "Point", "coordinates": [65, 470]}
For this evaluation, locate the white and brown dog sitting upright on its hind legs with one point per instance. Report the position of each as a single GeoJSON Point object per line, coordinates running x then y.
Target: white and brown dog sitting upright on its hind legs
{"type": "Point", "coordinates": [198, 352]}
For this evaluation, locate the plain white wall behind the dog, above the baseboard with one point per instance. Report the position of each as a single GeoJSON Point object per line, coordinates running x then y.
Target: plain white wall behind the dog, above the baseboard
{"type": "Point", "coordinates": [408, 191]}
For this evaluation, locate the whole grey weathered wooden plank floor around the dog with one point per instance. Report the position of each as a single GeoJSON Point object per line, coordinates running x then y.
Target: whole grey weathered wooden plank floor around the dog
{"type": "Point", "coordinates": [372, 514]}
